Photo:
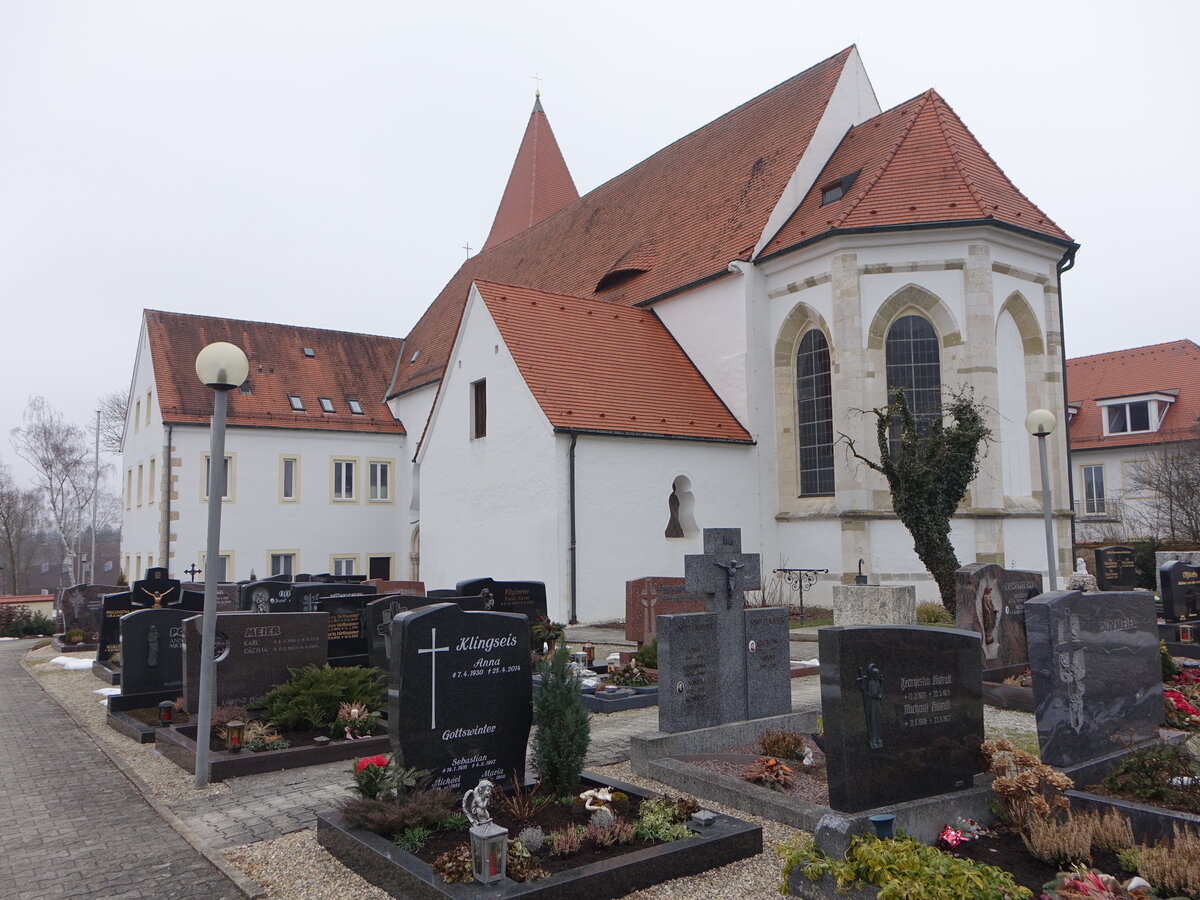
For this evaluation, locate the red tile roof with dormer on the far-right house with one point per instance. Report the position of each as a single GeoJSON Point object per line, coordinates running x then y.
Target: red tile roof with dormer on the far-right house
{"type": "Point", "coordinates": [1159, 369]}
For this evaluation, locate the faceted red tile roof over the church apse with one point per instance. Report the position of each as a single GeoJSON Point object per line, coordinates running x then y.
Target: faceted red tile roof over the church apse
{"type": "Point", "coordinates": [917, 164]}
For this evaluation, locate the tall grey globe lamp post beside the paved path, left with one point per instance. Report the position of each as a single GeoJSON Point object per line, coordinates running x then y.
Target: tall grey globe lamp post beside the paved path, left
{"type": "Point", "coordinates": [221, 367]}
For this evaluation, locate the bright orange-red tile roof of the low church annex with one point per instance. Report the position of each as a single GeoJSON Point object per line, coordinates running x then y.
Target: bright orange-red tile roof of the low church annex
{"type": "Point", "coordinates": [596, 368]}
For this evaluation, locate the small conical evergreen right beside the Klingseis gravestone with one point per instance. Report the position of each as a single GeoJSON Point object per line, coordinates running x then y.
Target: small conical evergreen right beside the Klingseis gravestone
{"type": "Point", "coordinates": [563, 730]}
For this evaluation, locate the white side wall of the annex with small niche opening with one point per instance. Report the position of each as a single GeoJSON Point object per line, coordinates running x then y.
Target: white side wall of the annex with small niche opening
{"type": "Point", "coordinates": [622, 491]}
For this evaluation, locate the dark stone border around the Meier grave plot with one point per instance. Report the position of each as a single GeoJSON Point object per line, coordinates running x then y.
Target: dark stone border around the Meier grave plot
{"type": "Point", "coordinates": [178, 745]}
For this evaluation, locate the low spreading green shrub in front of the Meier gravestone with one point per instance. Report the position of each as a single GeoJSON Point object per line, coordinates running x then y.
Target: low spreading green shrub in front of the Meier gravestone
{"type": "Point", "coordinates": [313, 697]}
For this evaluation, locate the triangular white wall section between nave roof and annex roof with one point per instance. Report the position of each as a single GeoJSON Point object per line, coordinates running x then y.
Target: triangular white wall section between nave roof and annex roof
{"type": "Point", "coordinates": [711, 326]}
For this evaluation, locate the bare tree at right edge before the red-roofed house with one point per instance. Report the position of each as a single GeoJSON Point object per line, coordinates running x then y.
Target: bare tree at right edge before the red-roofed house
{"type": "Point", "coordinates": [1171, 479]}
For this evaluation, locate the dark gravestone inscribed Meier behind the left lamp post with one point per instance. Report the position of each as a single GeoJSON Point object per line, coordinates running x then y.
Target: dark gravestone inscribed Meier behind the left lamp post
{"type": "Point", "coordinates": [255, 652]}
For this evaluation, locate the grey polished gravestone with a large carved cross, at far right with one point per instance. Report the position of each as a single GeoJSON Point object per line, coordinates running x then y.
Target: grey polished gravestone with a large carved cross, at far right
{"type": "Point", "coordinates": [1097, 675]}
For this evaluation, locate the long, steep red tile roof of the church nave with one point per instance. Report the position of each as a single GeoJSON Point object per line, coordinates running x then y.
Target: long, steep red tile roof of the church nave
{"type": "Point", "coordinates": [688, 211]}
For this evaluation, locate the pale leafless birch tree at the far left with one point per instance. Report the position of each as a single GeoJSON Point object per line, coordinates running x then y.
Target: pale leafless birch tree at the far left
{"type": "Point", "coordinates": [59, 454]}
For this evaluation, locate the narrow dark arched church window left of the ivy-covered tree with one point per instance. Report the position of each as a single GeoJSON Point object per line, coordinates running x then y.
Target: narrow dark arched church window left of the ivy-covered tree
{"type": "Point", "coordinates": [814, 407]}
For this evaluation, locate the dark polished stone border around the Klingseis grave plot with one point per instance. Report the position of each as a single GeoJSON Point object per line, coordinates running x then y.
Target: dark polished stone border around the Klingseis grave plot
{"type": "Point", "coordinates": [401, 874]}
